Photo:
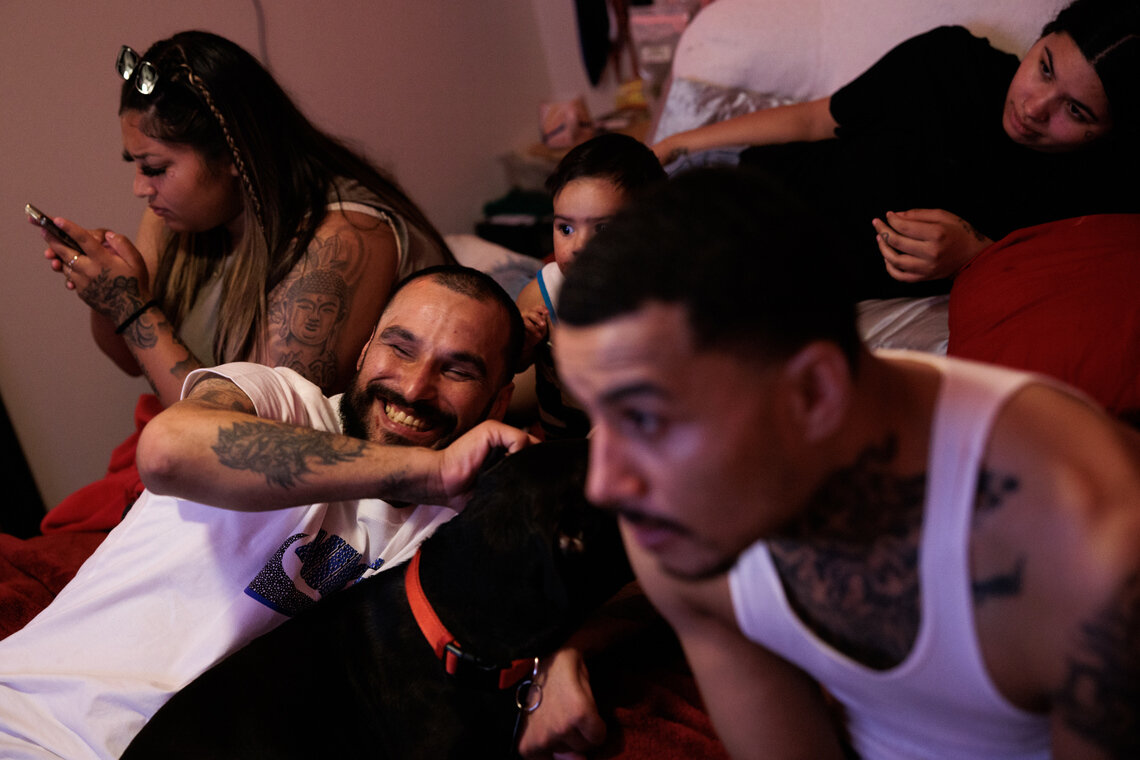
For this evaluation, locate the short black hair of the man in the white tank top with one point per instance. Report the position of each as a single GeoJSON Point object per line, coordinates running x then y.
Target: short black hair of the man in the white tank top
{"type": "Point", "coordinates": [728, 247]}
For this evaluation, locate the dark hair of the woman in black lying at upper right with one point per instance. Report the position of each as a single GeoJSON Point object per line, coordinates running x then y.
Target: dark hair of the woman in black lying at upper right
{"type": "Point", "coordinates": [1108, 34]}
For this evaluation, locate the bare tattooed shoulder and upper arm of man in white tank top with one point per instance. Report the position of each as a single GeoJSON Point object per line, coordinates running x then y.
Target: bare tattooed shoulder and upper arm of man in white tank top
{"type": "Point", "coordinates": [1058, 524]}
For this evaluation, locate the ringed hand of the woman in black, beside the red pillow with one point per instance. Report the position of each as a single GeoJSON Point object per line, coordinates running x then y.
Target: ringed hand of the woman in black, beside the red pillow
{"type": "Point", "coordinates": [925, 244]}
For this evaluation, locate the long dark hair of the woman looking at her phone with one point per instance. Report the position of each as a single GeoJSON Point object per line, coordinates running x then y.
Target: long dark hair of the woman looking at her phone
{"type": "Point", "coordinates": [215, 97]}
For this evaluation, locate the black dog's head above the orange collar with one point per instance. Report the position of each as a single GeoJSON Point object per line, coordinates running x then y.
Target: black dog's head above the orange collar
{"type": "Point", "coordinates": [530, 557]}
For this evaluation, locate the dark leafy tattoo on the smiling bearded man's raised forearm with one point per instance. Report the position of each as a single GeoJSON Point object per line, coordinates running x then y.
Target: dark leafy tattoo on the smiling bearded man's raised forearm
{"type": "Point", "coordinates": [280, 453]}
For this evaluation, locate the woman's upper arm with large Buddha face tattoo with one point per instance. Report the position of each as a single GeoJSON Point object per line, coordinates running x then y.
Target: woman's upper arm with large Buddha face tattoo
{"type": "Point", "coordinates": [322, 314]}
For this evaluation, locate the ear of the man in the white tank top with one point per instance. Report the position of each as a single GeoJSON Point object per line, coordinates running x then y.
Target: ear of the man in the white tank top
{"type": "Point", "coordinates": [818, 389]}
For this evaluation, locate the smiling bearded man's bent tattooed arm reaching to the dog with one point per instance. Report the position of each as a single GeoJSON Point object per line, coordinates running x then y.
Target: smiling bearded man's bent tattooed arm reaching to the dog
{"type": "Point", "coordinates": [213, 448]}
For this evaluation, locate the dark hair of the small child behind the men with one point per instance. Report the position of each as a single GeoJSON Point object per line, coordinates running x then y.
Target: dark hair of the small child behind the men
{"type": "Point", "coordinates": [624, 161]}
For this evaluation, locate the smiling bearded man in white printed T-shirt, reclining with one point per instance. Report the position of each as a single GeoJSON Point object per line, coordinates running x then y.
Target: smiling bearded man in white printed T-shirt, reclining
{"type": "Point", "coordinates": [180, 585]}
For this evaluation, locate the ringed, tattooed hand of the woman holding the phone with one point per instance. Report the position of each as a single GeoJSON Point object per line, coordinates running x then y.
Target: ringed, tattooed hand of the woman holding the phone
{"type": "Point", "coordinates": [111, 277]}
